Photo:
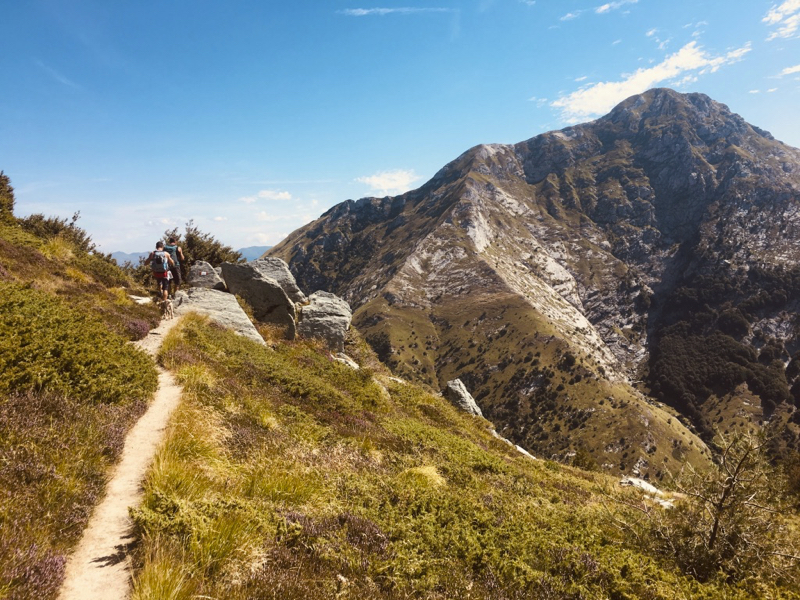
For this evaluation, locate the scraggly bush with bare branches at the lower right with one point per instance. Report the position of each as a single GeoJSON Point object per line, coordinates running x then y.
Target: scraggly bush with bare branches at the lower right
{"type": "Point", "coordinates": [728, 522]}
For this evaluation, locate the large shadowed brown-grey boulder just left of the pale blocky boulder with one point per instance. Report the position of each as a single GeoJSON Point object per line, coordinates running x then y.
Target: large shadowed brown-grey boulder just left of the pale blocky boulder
{"type": "Point", "coordinates": [267, 297]}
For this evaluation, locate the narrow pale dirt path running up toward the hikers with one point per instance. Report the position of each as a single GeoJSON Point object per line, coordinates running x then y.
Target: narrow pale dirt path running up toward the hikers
{"type": "Point", "coordinates": [100, 566]}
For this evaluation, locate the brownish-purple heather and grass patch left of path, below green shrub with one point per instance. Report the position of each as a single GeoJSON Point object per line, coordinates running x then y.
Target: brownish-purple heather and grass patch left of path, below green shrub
{"type": "Point", "coordinates": [54, 455]}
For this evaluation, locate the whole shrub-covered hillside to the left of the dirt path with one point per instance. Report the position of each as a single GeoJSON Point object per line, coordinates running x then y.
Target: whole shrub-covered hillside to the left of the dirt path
{"type": "Point", "coordinates": [71, 387]}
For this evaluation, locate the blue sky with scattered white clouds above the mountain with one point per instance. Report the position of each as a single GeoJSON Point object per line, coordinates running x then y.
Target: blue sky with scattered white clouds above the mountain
{"type": "Point", "coordinates": [254, 117]}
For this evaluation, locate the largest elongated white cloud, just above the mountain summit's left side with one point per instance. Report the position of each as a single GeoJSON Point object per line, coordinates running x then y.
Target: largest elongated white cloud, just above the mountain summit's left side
{"type": "Point", "coordinates": [680, 68]}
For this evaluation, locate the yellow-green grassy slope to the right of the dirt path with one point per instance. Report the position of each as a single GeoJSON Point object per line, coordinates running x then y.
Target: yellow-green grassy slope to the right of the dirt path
{"type": "Point", "coordinates": [288, 475]}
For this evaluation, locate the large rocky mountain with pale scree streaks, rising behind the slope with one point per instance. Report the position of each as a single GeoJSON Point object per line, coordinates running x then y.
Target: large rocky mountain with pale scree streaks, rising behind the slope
{"type": "Point", "coordinates": [581, 280]}
